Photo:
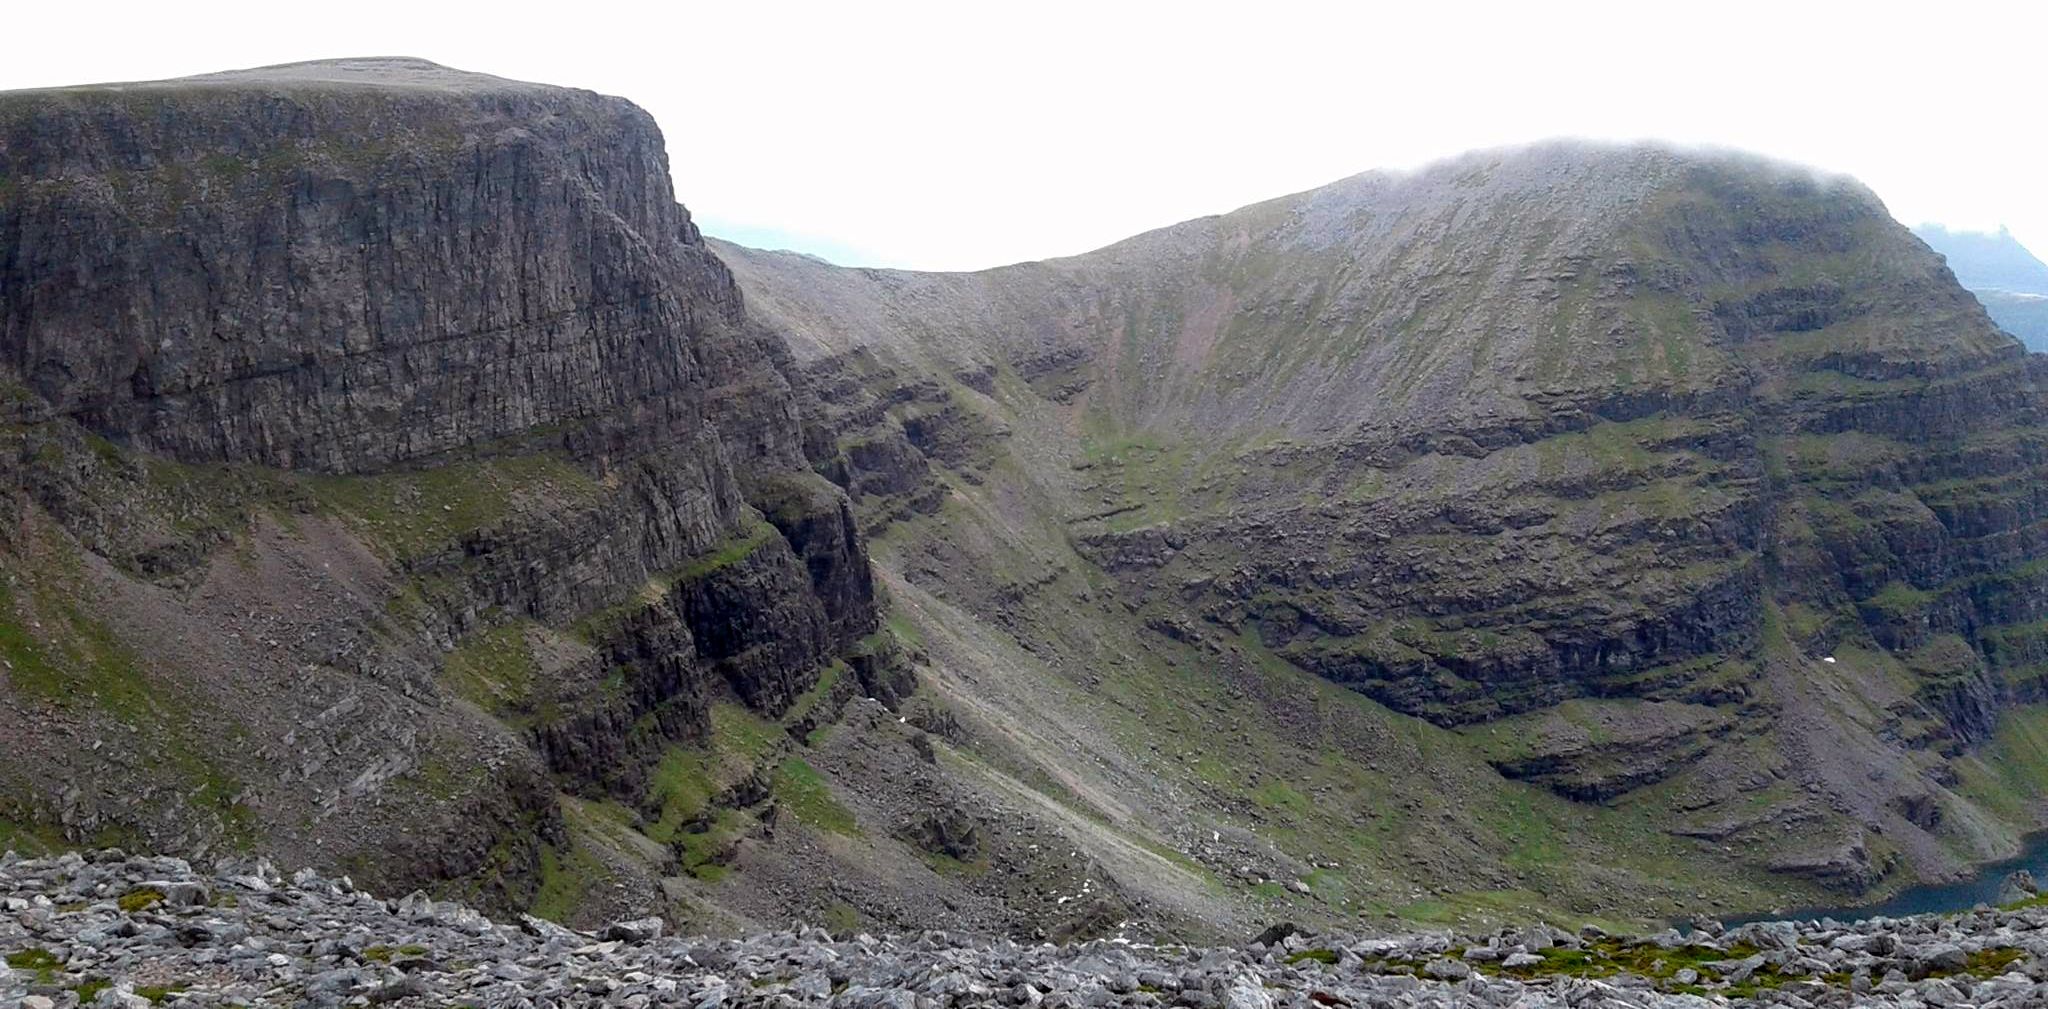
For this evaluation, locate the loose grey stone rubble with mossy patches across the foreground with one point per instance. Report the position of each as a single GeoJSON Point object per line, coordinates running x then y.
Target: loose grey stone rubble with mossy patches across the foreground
{"type": "Point", "coordinates": [128, 932]}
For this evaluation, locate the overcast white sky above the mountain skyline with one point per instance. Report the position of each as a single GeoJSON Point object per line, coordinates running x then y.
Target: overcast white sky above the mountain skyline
{"type": "Point", "coordinates": [972, 134]}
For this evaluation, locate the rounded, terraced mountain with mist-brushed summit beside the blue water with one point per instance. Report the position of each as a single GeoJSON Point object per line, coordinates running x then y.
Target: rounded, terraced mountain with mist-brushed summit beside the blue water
{"type": "Point", "coordinates": [1670, 513]}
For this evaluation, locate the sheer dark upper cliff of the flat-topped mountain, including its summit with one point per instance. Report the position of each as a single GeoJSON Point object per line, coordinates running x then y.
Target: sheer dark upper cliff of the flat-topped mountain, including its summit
{"type": "Point", "coordinates": [357, 271]}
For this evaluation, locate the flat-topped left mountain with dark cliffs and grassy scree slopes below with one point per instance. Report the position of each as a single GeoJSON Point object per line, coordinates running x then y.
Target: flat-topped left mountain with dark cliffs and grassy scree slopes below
{"type": "Point", "coordinates": [515, 488]}
